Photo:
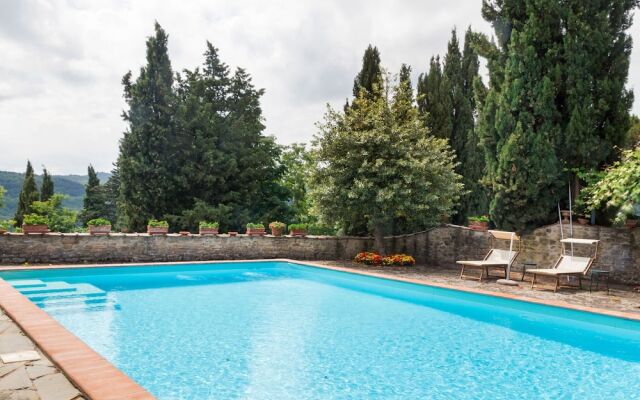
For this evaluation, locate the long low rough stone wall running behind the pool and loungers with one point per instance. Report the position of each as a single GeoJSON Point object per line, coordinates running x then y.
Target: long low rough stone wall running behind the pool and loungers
{"type": "Point", "coordinates": [619, 249]}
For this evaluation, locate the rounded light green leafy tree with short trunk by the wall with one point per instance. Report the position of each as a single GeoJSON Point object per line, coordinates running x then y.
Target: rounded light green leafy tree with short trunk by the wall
{"type": "Point", "coordinates": [376, 163]}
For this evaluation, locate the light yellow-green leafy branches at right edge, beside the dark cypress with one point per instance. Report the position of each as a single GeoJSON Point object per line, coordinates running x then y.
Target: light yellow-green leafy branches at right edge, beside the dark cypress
{"type": "Point", "coordinates": [619, 188]}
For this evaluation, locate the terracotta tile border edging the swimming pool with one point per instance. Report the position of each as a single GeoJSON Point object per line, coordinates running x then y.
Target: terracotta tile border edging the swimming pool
{"type": "Point", "coordinates": [101, 380]}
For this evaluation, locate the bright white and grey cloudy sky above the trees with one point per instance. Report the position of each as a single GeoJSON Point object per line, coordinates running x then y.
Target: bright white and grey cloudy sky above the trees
{"type": "Point", "coordinates": [61, 62]}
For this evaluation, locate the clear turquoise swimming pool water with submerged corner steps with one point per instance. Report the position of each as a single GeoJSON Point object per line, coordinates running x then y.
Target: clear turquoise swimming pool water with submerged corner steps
{"type": "Point", "coordinates": [274, 330]}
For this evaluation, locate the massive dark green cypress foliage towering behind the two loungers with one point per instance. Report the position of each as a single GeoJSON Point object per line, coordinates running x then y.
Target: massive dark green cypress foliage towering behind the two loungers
{"type": "Point", "coordinates": [556, 99]}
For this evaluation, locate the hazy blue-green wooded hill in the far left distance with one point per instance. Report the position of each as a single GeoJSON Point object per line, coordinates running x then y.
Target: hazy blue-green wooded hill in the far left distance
{"type": "Point", "coordinates": [70, 185]}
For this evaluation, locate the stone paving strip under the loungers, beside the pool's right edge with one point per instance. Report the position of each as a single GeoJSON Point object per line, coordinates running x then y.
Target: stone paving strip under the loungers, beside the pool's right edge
{"type": "Point", "coordinates": [619, 298]}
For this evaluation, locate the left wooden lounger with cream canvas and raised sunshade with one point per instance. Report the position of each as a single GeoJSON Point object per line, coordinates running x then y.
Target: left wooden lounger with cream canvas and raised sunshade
{"type": "Point", "coordinates": [495, 258]}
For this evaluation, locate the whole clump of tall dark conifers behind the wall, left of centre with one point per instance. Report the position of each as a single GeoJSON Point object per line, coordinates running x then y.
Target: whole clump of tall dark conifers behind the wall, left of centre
{"type": "Point", "coordinates": [195, 148]}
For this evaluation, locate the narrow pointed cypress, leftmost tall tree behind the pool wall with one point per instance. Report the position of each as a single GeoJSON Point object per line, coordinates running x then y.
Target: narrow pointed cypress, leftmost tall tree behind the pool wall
{"type": "Point", "coordinates": [148, 159]}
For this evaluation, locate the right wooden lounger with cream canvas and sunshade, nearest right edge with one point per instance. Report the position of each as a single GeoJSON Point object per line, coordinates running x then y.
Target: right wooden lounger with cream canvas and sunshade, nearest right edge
{"type": "Point", "coordinates": [568, 264]}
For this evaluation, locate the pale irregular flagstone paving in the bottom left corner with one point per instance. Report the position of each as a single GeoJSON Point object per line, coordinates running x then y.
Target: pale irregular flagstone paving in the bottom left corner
{"type": "Point", "coordinates": [29, 380]}
